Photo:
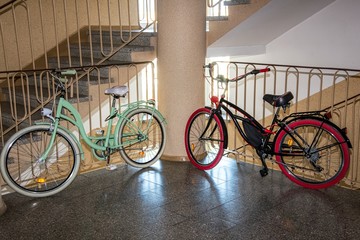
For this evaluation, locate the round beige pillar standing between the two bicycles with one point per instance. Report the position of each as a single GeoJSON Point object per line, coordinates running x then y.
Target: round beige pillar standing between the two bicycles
{"type": "Point", "coordinates": [181, 56]}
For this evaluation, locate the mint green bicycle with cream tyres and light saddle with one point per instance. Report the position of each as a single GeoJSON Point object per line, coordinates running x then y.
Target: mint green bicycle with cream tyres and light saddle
{"type": "Point", "coordinates": [43, 159]}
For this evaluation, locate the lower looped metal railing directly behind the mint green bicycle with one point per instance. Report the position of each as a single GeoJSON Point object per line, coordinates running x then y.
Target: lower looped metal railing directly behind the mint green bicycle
{"type": "Point", "coordinates": [27, 92]}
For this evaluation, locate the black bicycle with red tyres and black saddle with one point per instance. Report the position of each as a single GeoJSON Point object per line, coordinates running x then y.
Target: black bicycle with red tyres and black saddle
{"type": "Point", "coordinates": [309, 149]}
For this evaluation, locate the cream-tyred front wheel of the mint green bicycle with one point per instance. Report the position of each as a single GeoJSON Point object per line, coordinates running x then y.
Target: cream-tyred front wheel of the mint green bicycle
{"type": "Point", "coordinates": [27, 172]}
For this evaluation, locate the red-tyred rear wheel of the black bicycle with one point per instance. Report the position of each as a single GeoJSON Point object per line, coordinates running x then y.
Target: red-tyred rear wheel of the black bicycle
{"type": "Point", "coordinates": [317, 158]}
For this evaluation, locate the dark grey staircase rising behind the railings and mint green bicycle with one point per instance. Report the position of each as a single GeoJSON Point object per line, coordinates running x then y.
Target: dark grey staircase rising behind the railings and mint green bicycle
{"type": "Point", "coordinates": [31, 90]}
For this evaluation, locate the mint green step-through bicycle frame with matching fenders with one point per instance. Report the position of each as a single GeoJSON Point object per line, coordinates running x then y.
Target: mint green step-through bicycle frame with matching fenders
{"type": "Point", "coordinates": [110, 139]}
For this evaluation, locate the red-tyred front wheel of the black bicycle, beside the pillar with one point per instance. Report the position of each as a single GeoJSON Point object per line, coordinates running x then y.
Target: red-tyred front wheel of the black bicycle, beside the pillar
{"type": "Point", "coordinates": [204, 139]}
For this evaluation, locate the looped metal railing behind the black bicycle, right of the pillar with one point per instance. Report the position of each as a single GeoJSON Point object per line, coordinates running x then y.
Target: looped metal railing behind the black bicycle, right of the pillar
{"type": "Point", "coordinates": [335, 90]}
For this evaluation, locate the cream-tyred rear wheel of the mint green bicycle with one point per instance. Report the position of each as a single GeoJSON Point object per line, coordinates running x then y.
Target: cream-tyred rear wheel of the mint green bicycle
{"type": "Point", "coordinates": [142, 137]}
